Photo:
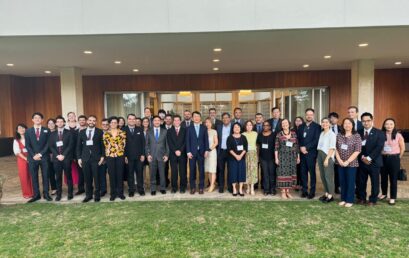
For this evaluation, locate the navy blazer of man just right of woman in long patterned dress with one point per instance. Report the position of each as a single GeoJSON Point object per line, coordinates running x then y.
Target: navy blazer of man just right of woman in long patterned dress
{"type": "Point", "coordinates": [311, 138]}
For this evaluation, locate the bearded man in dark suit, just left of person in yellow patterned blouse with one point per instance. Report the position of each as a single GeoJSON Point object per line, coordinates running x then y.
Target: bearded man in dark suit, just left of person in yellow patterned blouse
{"type": "Point", "coordinates": [90, 155]}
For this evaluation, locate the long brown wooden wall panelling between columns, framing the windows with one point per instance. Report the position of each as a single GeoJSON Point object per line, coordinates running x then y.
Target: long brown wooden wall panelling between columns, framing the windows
{"type": "Point", "coordinates": [338, 81]}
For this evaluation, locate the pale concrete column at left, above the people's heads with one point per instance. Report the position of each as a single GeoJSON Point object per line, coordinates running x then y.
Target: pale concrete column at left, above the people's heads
{"type": "Point", "coordinates": [71, 90]}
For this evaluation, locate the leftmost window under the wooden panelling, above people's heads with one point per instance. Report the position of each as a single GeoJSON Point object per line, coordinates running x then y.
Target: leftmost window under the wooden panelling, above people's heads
{"type": "Point", "coordinates": [122, 104]}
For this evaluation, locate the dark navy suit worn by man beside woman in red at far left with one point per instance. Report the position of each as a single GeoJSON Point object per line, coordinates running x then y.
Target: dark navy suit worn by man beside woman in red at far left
{"type": "Point", "coordinates": [34, 147]}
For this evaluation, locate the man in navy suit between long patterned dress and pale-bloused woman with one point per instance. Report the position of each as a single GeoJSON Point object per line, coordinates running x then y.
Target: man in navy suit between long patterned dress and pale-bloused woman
{"type": "Point", "coordinates": [308, 136]}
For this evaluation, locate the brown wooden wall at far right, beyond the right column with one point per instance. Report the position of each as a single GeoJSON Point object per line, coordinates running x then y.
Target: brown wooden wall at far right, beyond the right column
{"type": "Point", "coordinates": [392, 96]}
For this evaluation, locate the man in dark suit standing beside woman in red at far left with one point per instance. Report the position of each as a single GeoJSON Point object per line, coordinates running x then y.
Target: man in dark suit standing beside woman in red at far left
{"type": "Point", "coordinates": [37, 148]}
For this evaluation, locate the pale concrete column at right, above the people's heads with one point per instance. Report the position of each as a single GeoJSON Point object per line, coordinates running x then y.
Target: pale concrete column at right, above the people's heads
{"type": "Point", "coordinates": [362, 85]}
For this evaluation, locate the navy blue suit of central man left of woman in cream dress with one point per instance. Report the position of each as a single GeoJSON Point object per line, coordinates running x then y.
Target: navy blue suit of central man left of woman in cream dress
{"type": "Point", "coordinates": [197, 146]}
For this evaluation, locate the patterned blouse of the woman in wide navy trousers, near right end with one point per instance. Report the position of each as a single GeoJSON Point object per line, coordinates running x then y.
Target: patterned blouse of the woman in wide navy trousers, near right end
{"type": "Point", "coordinates": [346, 146]}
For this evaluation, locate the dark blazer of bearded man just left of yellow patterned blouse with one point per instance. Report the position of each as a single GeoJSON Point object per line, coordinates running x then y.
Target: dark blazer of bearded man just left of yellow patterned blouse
{"type": "Point", "coordinates": [92, 152]}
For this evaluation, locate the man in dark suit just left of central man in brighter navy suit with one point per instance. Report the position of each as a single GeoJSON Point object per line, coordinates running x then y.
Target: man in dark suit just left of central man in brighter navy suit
{"type": "Point", "coordinates": [176, 137]}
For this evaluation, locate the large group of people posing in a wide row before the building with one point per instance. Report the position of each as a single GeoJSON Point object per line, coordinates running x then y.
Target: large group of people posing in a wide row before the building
{"type": "Point", "coordinates": [286, 155]}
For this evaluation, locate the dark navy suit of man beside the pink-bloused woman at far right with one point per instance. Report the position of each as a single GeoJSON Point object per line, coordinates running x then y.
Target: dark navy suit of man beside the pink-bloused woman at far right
{"type": "Point", "coordinates": [373, 147]}
